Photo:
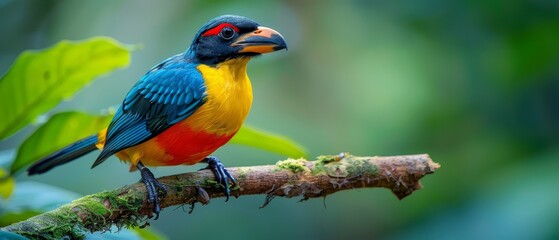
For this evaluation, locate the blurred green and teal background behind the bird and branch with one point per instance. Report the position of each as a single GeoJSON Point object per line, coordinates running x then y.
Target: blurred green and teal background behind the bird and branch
{"type": "Point", "coordinates": [473, 83]}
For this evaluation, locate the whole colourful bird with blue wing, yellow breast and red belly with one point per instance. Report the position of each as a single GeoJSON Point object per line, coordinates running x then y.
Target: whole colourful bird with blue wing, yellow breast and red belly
{"type": "Point", "coordinates": [182, 109]}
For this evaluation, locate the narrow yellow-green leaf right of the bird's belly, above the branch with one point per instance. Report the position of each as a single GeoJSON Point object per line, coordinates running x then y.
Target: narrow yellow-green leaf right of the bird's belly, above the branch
{"type": "Point", "coordinates": [268, 141]}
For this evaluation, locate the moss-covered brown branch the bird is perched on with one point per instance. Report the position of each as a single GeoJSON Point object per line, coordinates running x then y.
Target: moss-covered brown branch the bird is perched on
{"type": "Point", "coordinates": [128, 206]}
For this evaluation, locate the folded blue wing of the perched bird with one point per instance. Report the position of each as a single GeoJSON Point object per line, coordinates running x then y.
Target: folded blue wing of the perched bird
{"type": "Point", "coordinates": [167, 94]}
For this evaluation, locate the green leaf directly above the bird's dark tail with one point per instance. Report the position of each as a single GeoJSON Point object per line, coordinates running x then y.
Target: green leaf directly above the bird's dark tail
{"type": "Point", "coordinates": [59, 131]}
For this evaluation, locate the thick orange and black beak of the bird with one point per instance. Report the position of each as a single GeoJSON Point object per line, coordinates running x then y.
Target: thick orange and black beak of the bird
{"type": "Point", "coordinates": [262, 40]}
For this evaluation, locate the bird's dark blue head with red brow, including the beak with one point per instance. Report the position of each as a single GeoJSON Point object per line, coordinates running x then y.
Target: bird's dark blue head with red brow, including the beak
{"type": "Point", "coordinates": [229, 37]}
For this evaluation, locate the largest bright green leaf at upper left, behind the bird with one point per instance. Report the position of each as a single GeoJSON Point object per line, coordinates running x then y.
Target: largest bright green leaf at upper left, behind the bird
{"type": "Point", "coordinates": [39, 80]}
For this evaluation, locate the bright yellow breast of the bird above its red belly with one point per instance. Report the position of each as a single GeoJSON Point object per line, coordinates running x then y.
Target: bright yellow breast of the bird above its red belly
{"type": "Point", "coordinates": [229, 98]}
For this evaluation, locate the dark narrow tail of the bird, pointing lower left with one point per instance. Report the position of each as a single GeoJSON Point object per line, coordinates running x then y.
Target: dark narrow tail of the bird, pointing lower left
{"type": "Point", "coordinates": [62, 156]}
